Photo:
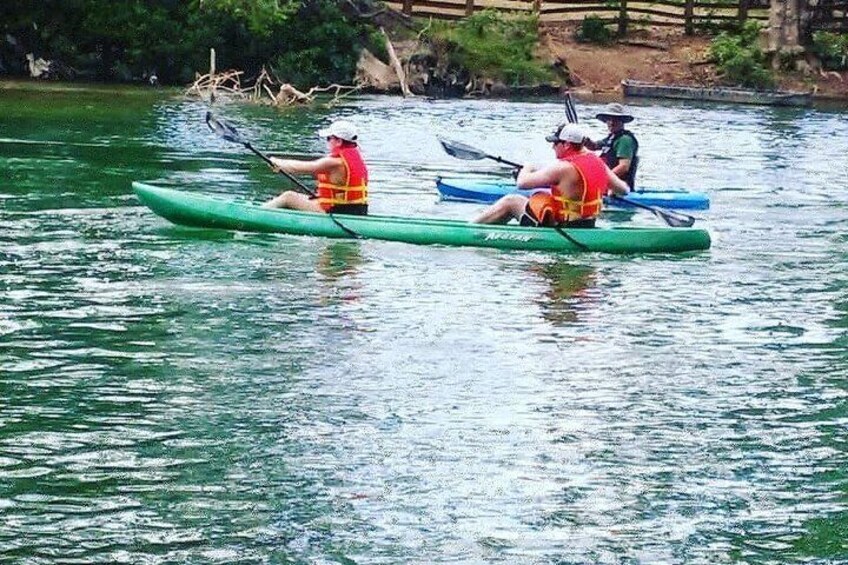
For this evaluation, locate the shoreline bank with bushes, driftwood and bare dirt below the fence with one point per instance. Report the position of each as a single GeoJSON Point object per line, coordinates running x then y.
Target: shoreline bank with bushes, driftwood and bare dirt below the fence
{"type": "Point", "coordinates": [362, 46]}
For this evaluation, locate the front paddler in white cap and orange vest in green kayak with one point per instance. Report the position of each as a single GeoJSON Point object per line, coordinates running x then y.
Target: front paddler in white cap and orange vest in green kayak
{"type": "Point", "coordinates": [342, 176]}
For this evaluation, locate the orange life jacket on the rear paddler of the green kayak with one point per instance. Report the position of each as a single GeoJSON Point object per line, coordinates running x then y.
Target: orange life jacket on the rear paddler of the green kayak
{"type": "Point", "coordinates": [556, 208]}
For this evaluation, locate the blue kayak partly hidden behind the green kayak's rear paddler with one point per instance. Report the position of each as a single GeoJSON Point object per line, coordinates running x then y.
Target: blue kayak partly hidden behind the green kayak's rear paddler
{"type": "Point", "coordinates": [487, 190]}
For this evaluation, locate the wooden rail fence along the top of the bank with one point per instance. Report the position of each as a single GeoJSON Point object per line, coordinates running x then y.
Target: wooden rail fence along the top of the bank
{"type": "Point", "coordinates": [689, 14]}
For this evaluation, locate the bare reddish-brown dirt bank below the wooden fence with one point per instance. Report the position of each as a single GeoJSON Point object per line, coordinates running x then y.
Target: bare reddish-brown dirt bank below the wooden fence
{"type": "Point", "coordinates": [661, 56]}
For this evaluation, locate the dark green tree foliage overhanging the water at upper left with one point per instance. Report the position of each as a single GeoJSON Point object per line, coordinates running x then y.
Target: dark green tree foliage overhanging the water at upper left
{"type": "Point", "coordinates": [312, 40]}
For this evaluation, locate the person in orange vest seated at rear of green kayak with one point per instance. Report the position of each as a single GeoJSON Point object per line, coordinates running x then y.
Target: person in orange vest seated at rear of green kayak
{"type": "Point", "coordinates": [578, 181]}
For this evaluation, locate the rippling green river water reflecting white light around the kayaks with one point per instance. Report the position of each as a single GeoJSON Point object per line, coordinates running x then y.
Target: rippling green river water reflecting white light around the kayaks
{"type": "Point", "coordinates": [174, 395]}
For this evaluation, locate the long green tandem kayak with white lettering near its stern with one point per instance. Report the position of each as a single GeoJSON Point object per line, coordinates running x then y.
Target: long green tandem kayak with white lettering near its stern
{"type": "Point", "coordinates": [197, 210]}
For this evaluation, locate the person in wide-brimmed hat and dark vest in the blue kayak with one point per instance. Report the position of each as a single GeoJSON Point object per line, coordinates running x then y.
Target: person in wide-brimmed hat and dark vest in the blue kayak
{"type": "Point", "coordinates": [619, 149]}
